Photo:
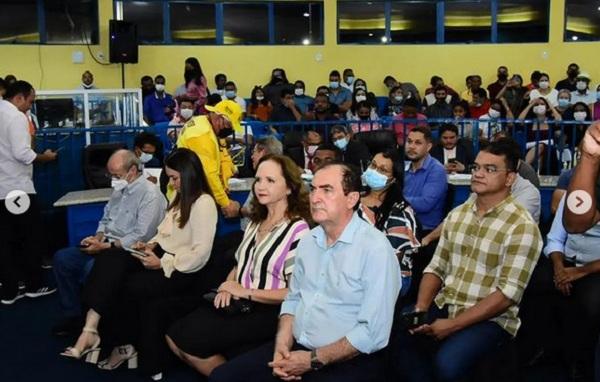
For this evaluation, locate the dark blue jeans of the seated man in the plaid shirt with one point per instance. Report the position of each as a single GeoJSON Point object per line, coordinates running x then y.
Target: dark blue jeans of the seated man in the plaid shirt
{"type": "Point", "coordinates": [422, 358]}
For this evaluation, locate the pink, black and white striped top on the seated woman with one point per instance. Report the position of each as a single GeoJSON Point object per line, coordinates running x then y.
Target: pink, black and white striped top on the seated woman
{"type": "Point", "coordinates": [269, 264]}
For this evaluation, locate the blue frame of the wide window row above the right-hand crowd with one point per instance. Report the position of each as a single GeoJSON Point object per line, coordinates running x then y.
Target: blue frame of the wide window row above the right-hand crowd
{"type": "Point", "coordinates": [440, 30]}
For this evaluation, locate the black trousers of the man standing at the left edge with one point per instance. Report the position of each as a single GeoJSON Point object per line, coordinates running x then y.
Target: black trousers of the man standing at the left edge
{"type": "Point", "coordinates": [22, 245]}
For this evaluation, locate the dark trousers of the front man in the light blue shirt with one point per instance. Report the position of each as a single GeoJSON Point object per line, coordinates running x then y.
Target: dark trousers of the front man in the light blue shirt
{"type": "Point", "coordinates": [252, 366]}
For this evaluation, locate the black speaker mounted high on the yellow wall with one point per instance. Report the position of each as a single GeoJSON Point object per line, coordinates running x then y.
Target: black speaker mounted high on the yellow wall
{"type": "Point", "coordinates": [123, 43]}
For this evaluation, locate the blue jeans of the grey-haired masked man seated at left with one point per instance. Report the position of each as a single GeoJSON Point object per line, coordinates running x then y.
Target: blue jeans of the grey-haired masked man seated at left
{"type": "Point", "coordinates": [71, 268]}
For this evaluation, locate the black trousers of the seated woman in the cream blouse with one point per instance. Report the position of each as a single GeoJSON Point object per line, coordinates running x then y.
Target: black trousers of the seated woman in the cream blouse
{"type": "Point", "coordinates": [119, 288]}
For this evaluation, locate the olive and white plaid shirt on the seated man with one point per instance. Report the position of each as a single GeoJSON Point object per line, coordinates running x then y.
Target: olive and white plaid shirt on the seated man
{"type": "Point", "coordinates": [477, 256]}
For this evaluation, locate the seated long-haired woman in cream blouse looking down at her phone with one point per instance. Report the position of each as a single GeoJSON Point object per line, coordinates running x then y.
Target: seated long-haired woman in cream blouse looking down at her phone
{"type": "Point", "coordinates": [121, 281]}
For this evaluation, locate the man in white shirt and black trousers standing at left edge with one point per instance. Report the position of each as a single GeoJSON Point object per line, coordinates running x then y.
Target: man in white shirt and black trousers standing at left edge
{"type": "Point", "coordinates": [21, 241]}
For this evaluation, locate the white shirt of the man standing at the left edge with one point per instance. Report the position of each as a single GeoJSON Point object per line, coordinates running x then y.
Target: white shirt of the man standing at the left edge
{"type": "Point", "coordinates": [16, 155]}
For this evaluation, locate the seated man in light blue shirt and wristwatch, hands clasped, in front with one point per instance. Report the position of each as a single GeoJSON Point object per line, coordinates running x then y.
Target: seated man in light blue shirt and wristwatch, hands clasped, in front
{"type": "Point", "coordinates": [339, 310]}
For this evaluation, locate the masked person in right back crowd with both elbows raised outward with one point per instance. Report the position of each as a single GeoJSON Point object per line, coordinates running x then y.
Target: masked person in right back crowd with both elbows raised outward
{"type": "Point", "coordinates": [540, 135]}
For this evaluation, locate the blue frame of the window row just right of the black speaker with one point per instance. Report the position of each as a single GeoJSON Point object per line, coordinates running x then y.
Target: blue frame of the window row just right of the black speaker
{"type": "Point", "coordinates": [220, 24]}
